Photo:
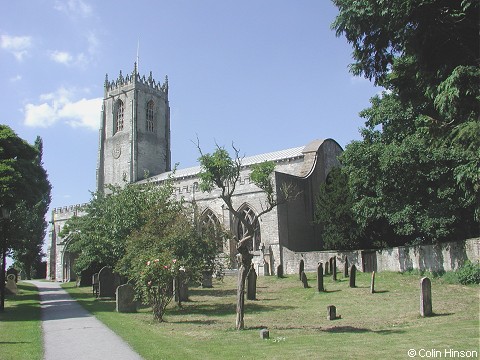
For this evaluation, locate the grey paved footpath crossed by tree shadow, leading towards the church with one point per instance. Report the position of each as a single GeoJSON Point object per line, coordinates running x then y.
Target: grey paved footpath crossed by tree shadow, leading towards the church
{"type": "Point", "coordinates": [71, 332]}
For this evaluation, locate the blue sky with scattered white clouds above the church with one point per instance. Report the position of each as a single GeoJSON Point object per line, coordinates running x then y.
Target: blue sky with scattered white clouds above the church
{"type": "Point", "coordinates": [267, 75]}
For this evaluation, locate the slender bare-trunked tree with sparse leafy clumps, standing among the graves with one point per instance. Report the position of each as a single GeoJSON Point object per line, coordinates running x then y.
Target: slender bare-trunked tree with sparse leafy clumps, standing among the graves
{"type": "Point", "coordinates": [220, 170]}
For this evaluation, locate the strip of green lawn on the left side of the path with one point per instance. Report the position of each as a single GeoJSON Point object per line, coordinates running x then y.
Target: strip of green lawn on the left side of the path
{"type": "Point", "coordinates": [20, 327]}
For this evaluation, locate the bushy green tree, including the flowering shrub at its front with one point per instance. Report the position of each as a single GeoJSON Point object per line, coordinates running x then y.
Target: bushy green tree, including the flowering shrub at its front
{"type": "Point", "coordinates": [167, 247]}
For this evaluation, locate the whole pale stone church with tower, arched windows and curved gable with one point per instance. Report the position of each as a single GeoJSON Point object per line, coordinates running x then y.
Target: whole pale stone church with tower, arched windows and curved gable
{"type": "Point", "coordinates": [134, 140]}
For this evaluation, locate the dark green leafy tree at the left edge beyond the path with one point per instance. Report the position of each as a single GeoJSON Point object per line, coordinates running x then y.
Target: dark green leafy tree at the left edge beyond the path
{"type": "Point", "coordinates": [25, 192]}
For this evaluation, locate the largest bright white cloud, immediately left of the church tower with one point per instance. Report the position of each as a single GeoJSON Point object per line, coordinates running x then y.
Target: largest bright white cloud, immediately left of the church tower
{"type": "Point", "coordinates": [59, 107]}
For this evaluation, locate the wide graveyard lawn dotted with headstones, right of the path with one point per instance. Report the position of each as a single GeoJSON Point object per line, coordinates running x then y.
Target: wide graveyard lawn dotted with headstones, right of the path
{"type": "Point", "coordinates": [380, 325]}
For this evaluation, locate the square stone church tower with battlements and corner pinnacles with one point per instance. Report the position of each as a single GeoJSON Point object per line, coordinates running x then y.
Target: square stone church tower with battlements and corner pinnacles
{"type": "Point", "coordinates": [134, 135]}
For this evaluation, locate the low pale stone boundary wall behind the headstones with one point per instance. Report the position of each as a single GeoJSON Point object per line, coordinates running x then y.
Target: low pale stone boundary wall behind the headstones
{"type": "Point", "coordinates": [441, 257]}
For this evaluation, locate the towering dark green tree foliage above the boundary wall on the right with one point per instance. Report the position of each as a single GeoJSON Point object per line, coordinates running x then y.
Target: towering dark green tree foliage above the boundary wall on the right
{"type": "Point", "coordinates": [415, 175]}
